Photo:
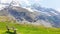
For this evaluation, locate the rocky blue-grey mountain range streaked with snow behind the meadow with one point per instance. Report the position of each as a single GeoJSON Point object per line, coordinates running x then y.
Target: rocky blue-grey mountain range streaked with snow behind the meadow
{"type": "Point", "coordinates": [33, 13]}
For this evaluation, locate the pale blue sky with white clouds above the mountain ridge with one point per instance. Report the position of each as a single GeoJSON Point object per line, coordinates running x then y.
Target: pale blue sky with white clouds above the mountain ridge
{"type": "Point", "coordinates": [55, 4]}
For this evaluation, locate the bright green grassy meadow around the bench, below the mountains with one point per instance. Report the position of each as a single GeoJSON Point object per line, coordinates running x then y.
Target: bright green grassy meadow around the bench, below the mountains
{"type": "Point", "coordinates": [27, 29]}
